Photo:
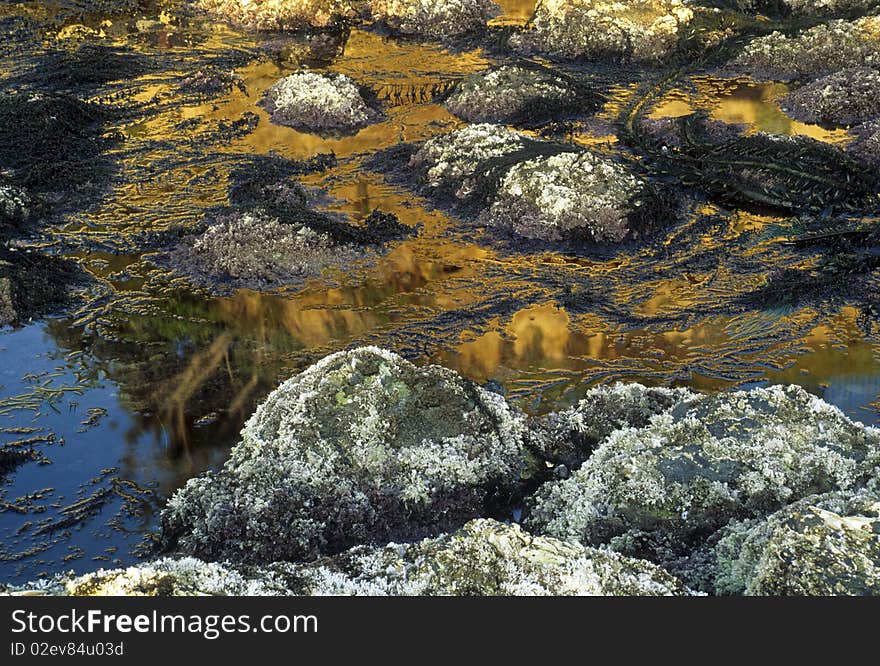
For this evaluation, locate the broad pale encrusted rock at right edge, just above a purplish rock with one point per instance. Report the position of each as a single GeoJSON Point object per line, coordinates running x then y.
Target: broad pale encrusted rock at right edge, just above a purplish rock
{"type": "Point", "coordinates": [822, 49]}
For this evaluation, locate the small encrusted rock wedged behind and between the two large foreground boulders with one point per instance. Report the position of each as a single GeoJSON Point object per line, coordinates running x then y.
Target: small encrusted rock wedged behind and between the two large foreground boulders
{"type": "Point", "coordinates": [568, 437]}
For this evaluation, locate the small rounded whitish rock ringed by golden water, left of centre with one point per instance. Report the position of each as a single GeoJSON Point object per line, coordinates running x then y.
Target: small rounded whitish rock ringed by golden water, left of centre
{"type": "Point", "coordinates": [318, 102]}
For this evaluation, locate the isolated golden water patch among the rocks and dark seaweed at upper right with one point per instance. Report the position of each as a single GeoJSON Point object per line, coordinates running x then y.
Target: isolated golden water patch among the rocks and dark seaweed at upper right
{"type": "Point", "coordinates": [741, 101]}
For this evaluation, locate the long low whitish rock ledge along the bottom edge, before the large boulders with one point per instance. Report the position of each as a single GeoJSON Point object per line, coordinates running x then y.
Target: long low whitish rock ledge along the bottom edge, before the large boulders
{"type": "Point", "coordinates": [484, 558]}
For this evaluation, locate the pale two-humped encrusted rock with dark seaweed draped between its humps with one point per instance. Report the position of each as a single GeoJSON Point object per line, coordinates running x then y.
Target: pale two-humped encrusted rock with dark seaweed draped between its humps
{"type": "Point", "coordinates": [536, 189]}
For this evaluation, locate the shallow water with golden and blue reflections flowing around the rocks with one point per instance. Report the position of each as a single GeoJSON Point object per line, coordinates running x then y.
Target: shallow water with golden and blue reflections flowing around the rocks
{"type": "Point", "coordinates": [148, 379]}
